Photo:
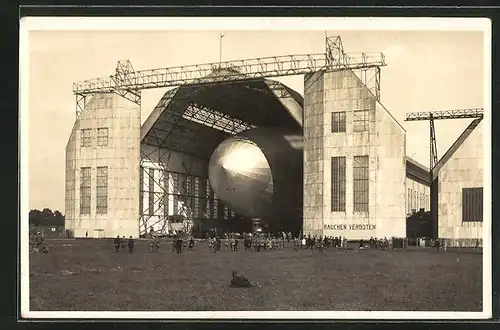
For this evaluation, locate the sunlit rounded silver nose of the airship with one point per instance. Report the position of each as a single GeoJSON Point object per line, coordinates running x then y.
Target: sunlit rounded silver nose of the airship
{"type": "Point", "coordinates": [240, 176]}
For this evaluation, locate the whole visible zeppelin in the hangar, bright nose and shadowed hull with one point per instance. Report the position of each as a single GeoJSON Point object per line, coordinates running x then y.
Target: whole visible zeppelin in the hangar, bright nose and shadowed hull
{"type": "Point", "coordinates": [258, 174]}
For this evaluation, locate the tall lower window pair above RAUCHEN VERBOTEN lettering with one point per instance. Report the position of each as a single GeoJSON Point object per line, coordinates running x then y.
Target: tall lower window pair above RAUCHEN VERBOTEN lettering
{"type": "Point", "coordinates": [360, 184]}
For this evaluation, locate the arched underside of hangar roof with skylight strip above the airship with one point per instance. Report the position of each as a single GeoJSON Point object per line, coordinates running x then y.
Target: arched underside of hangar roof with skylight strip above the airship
{"type": "Point", "coordinates": [194, 119]}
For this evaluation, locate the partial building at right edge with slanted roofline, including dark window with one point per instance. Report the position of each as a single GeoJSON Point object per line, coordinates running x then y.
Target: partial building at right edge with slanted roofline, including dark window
{"type": "Point", "coordinates": [458, 179]}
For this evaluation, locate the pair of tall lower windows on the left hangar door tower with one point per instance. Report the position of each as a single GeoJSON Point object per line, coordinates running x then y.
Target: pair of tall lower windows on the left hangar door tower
{"type": "Point", "coordinates": [101, 190]}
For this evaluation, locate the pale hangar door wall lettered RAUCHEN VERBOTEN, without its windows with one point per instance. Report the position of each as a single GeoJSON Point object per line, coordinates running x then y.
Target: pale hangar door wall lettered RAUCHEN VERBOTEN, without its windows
{"type": "Point", "coordinates": [383, 143]}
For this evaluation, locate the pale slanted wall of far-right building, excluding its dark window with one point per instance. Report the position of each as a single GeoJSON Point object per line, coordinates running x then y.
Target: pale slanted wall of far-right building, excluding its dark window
{"type": "Point", "coordinates": [463, 170]}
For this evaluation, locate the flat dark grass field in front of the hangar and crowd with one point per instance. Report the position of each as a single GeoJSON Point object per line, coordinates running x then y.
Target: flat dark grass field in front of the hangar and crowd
{"type": "Point", "coordinates": [81, 275]}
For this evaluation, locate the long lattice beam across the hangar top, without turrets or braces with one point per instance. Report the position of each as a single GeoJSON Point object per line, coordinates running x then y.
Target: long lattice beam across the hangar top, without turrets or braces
{"type": "Point", "coordinates": [264, 67]}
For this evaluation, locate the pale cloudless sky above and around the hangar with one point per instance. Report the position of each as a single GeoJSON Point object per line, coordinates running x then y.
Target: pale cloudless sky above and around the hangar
{"type": "Point", "coordinates": [426, 70]}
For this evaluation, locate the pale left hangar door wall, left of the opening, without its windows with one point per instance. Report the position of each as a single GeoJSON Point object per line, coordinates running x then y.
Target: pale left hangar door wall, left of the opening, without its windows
{"type": "Point", "coordinates": [121, 156]}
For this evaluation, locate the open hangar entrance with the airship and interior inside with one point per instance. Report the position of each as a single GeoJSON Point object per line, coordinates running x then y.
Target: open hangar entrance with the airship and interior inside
{"type": "Point", "coordinates": [193, 135]}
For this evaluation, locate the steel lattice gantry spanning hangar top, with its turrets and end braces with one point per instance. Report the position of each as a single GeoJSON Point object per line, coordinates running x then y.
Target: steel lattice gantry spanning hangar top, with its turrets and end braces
{"type": "Point", "coordinates": [128, 83]}
